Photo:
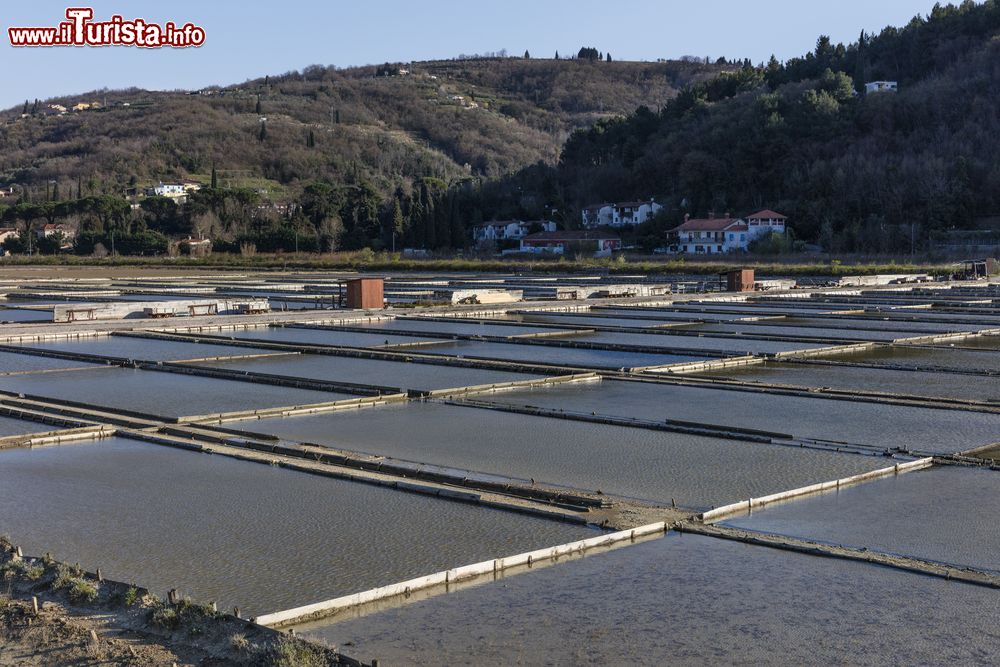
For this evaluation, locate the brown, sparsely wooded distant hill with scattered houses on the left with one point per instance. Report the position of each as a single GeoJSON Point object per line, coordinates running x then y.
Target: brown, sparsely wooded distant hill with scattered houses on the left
{"type": "Point", "coordinates": [387, 126]}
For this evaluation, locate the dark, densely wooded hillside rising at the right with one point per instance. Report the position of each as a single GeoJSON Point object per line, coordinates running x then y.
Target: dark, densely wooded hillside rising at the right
{"type": "Point", "coordinates": [855, 171]}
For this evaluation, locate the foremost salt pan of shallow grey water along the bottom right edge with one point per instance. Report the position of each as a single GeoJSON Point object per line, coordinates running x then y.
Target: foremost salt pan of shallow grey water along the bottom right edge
{"type": "Point", "coordinates": [688, 600]}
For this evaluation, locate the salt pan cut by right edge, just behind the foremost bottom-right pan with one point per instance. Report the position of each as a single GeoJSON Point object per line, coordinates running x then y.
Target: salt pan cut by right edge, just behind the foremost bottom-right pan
{"type": "Point", "coordinates": [945, 514]}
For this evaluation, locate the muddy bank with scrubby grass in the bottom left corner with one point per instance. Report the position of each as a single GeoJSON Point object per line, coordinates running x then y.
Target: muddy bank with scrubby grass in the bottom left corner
{"type": "Point", "coordinates": [53, 613]}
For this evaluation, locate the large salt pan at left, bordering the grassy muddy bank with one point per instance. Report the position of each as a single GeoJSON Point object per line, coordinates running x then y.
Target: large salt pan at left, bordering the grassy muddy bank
{"type": "Point", "coordinates": [242, 533]}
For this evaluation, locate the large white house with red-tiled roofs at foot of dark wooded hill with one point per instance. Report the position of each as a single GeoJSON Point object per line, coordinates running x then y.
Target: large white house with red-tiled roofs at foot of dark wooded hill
{"type": "Point", "coordinates": [713, 235]}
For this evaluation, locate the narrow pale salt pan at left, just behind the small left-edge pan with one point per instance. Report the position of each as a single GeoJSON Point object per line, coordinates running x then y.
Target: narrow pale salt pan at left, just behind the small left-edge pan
{"type": "Point", "coordinates": [147, 349]}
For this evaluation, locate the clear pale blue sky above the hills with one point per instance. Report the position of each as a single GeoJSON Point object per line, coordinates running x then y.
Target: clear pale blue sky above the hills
{"type": "Point", "coordinates": [246, 40]}
